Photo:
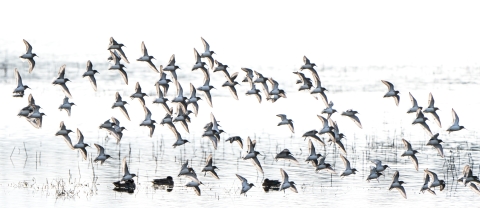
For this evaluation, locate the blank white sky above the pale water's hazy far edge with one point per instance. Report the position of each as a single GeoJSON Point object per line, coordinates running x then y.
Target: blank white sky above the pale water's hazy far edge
{"type": "Point", "coordinates": [251, 33]}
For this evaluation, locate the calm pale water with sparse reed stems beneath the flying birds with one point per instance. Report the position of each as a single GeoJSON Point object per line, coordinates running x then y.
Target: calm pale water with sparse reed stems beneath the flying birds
{"type": "Point", "coordinates": [35, 161]}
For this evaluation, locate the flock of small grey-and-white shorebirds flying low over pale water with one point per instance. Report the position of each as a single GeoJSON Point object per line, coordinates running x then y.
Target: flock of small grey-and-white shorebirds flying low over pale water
{"type": "Point", "coordinates": [185, 106]}
